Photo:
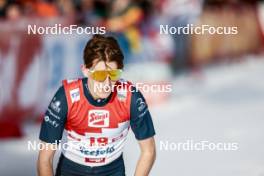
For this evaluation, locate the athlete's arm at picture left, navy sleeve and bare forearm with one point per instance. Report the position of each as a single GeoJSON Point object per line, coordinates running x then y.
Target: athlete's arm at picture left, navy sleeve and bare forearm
{"type": "Point", "coordinates": [51, 132]}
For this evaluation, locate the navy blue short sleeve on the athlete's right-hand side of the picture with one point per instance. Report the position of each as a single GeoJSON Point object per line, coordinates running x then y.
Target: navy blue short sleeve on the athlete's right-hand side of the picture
{"type": "Point", "coordinates": [140, 118]}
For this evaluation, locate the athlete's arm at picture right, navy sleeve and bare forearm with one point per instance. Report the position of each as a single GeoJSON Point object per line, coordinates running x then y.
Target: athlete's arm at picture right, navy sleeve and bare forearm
{"type": "Point", "coordinates": [142, 126]}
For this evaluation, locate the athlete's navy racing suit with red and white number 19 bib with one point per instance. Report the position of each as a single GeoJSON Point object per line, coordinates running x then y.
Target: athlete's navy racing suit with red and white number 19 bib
{"type": "Point", "coordinates": [94, 131]}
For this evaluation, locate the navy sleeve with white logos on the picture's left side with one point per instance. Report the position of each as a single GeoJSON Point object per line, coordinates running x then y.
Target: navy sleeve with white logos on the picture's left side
{"type": "Point", "coordinates": [54, 119]}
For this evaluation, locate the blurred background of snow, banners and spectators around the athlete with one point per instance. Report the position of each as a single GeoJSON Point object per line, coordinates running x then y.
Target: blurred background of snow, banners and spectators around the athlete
{"type": "Point", "coordinates": [217, 80]}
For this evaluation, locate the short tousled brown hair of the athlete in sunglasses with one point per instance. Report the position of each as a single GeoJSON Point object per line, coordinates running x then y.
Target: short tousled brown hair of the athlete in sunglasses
{"type": "Point", "coordinates": [102, 48]}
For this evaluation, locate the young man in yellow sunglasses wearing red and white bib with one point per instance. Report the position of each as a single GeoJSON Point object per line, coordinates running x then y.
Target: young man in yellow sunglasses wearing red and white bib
{"type": "Point", "coordinates": [95, 113]}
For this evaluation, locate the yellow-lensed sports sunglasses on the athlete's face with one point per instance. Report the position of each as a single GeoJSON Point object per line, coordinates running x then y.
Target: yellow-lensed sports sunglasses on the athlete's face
{"type": "Point", "coordinates": [101, 75]}
